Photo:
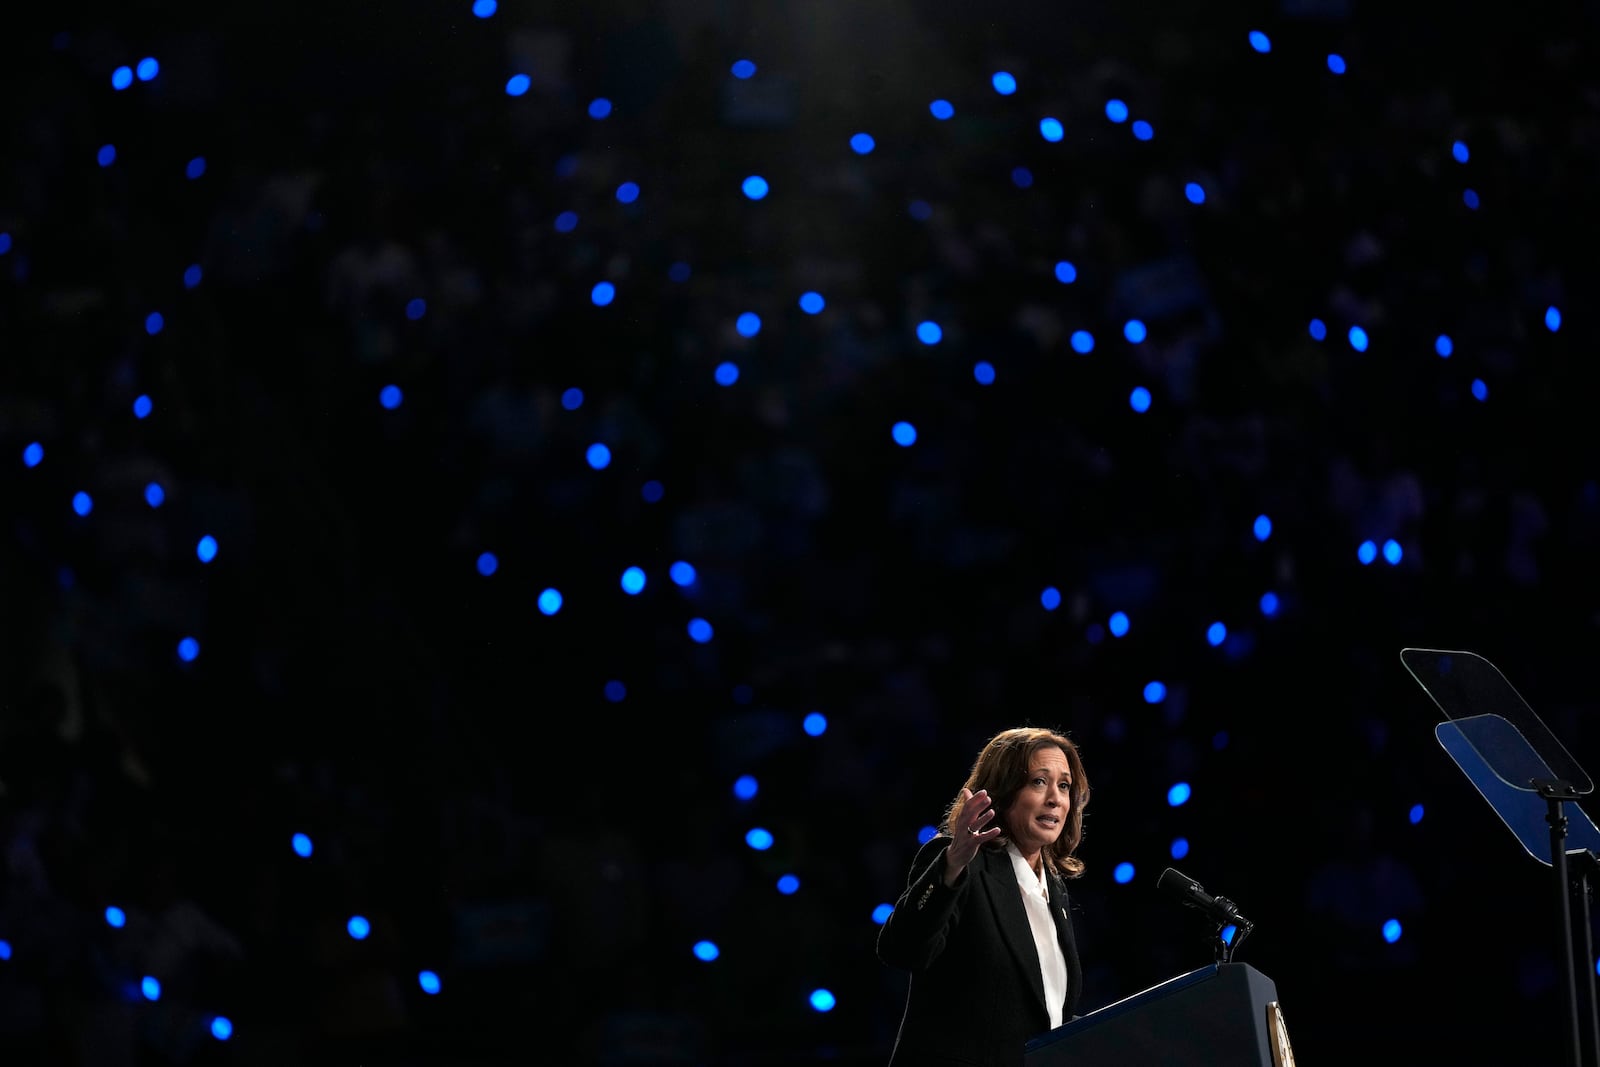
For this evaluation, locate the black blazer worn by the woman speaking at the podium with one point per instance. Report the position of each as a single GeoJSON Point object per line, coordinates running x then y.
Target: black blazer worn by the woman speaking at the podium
{"type": "Point", "coordinates": [977, 991]}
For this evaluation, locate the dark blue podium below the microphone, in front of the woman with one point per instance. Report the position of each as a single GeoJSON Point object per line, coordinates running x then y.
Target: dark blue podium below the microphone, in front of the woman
{"type": "Point", "coordinates": [1220, 1015]}
